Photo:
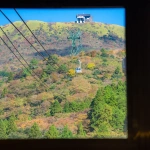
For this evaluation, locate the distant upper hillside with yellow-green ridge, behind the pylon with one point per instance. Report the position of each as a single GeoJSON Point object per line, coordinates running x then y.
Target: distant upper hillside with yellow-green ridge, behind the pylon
{"type": "Point", "coordinates": [53, 36]}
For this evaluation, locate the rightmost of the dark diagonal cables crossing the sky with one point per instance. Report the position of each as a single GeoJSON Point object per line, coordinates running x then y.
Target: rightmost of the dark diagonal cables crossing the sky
{"type": "Point", "coordinates": [33, 34]}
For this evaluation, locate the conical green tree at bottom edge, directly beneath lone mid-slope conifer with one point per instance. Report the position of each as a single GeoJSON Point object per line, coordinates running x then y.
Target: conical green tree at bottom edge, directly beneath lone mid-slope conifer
{"type": "Point", "coordinates": [52, 133]}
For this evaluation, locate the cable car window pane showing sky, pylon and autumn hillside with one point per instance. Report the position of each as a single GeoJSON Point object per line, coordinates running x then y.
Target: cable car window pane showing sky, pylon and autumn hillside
{"type": "Point", "coordinates": [63, 79]}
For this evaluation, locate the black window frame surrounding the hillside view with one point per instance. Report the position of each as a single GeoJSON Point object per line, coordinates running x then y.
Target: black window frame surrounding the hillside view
{"type": "Point", "coordinates": [137, 78]}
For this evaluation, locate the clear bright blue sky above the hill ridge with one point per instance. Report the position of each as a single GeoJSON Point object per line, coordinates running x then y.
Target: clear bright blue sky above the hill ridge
{"type": "Point", "coordinates": [104, 15]}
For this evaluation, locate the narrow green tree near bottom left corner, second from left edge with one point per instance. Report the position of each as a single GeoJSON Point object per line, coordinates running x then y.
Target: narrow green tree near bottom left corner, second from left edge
{"type": "Point", "coordinates": [11, 125]}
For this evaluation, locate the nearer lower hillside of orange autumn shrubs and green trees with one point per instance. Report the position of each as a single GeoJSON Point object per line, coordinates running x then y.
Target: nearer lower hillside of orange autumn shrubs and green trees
{"type": "Point", "coordinates": [65, 104]}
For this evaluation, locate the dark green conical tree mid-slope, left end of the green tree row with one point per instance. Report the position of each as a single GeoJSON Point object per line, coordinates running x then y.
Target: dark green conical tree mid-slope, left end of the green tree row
{"type": "Point", "coordinates": [55, 108]}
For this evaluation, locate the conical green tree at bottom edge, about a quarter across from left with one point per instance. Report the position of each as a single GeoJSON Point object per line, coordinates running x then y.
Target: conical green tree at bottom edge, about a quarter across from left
{"type": "Point", "coordinates": [35, 131]}
